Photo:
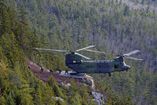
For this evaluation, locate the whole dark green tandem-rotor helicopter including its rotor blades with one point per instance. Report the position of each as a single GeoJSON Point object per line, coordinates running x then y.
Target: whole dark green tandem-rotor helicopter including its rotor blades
{"type": "Point", "coordinates": [76, 62]}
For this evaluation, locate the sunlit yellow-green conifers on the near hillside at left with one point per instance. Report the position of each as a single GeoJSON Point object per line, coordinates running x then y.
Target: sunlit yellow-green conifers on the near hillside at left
{"type": "Point", "coordinates": [18, 85]}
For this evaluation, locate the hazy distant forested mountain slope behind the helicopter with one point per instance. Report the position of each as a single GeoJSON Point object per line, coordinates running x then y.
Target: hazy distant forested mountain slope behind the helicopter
{"type": "Point", "coordinates": [112, 26]}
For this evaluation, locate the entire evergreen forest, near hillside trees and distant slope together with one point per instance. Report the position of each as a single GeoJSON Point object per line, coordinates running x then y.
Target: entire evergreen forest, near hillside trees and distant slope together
{"type": "Point", "coordinates": [112, 25]}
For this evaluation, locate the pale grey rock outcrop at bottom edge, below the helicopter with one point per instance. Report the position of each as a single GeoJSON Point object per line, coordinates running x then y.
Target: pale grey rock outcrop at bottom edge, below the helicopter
{"type": "Point", "coordinates": [98, 97]}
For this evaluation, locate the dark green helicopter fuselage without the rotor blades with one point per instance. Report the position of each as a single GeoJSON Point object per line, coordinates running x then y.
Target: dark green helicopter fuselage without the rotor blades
{"type": "Point", "coordinates": [76, 63]}
